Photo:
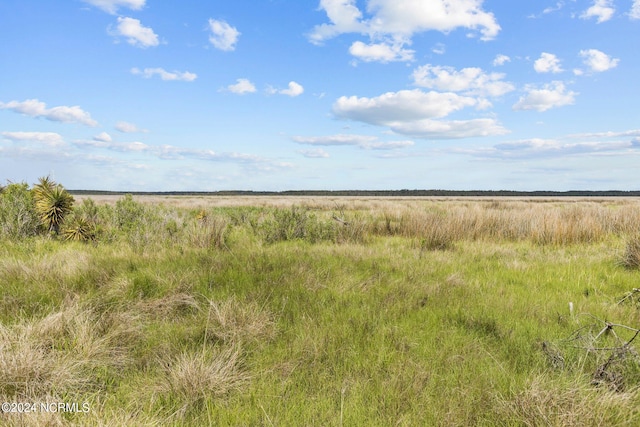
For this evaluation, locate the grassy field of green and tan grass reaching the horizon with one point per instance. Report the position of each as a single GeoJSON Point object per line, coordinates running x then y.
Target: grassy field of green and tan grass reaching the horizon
{"type": "Point", "coordinates": [327, 311]}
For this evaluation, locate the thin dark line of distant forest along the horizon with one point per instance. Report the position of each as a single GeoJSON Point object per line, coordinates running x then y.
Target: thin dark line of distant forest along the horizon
{"type": "Point", "coordinates": [374, 193]}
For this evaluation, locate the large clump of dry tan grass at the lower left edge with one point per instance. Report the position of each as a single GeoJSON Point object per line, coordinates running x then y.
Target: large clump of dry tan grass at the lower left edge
{"type": "Point", "coordinates": [63, 353]}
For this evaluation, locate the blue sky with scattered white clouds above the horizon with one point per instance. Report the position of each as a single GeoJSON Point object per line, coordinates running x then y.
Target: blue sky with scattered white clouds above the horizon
{"type": "Point", "coordinates": [274, 95]}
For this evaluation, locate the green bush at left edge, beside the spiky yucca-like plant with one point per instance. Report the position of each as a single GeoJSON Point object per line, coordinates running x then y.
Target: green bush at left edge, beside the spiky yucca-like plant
{"type": "Point", "coordinates": [18, 218]}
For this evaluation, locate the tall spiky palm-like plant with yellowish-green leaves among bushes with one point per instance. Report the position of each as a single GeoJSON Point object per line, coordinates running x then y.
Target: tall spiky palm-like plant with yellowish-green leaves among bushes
{"type": "Point", "coordinates": [53, 203]}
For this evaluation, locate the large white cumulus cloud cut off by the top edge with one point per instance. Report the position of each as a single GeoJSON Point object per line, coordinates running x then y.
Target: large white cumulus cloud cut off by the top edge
{"type": "Point", "coordinates": [394, 22]}
